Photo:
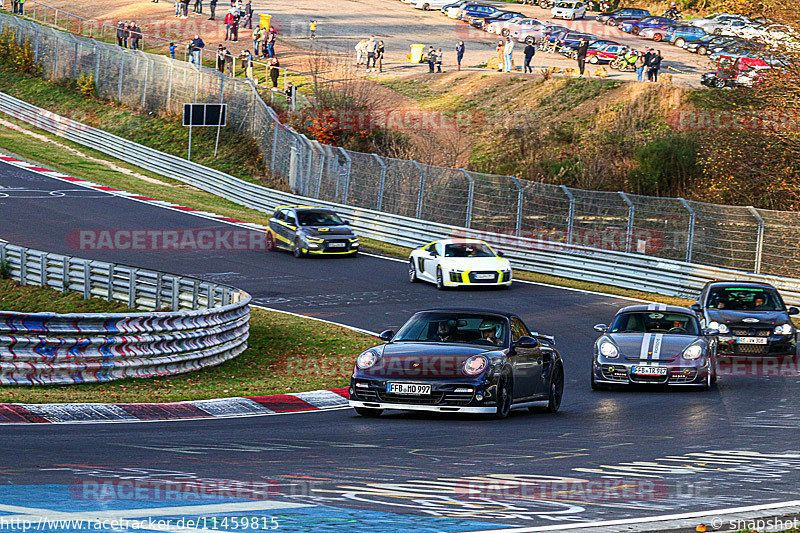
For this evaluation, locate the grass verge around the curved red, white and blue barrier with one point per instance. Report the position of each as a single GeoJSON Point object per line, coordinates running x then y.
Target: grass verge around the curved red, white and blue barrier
{"type": "Point", "coordinates": [285, 354]}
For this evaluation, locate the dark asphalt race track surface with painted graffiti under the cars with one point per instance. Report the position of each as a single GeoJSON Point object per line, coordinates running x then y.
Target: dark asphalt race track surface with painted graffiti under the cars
{"type": "Point", "coordinates": [672, 451]}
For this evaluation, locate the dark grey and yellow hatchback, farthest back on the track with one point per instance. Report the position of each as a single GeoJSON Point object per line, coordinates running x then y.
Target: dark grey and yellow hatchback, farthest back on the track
{"type": "Point", "coordinates": [305, 230]}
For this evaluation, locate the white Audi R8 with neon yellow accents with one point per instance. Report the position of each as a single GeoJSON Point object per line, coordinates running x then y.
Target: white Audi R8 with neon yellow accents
{"type": "Point", "coordinates": [459, 262]}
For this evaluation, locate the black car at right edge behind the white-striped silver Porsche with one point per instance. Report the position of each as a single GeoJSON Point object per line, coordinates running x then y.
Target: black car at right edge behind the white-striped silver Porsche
{"type": "Point", "coordinates": [751, 318]}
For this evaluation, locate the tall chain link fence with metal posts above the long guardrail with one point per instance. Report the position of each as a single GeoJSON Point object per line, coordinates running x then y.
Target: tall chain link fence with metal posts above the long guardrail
{"type": "Point", "coordinates": [739, 238]}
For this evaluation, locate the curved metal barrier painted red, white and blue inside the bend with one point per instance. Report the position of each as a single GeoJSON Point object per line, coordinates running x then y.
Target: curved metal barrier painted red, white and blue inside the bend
{"type": "Point", "coordinates": [206, 324]}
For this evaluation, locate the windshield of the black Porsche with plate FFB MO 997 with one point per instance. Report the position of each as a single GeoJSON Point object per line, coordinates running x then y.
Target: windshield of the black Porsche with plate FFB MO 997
{"type": "Point", "coordinates": [460, 328]}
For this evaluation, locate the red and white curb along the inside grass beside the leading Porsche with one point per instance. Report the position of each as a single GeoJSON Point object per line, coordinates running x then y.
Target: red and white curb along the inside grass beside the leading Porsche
{"type": "Point", "coordinates": [72, 413]}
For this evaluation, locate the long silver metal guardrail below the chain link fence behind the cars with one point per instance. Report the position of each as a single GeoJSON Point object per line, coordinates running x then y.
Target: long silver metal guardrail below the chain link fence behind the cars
{"type": "Point", "coordinates": [632, 271]}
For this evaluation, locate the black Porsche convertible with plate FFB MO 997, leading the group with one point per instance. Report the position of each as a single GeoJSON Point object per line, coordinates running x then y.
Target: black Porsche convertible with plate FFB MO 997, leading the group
{"type": "Point", "coordinates": [459, 361]}
